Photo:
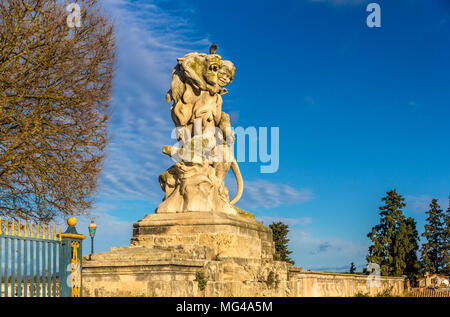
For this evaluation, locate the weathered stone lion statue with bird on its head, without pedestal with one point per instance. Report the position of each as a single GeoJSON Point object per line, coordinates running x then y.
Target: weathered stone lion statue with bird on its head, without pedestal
{"type": "Point", "coordinates": [206, 141]}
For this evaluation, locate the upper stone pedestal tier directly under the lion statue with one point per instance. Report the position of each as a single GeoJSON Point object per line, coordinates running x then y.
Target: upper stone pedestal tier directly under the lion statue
{"type": "Point", "coordinates": [225, 235]}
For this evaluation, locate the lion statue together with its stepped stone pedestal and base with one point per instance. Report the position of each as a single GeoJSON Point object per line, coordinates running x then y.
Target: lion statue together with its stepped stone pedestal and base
{"type": "Point", "coordinates": [196, 228]}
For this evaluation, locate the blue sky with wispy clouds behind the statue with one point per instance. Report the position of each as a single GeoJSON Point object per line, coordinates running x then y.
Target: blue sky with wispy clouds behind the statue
{"type": "Point", "coordinates": [360, 110]}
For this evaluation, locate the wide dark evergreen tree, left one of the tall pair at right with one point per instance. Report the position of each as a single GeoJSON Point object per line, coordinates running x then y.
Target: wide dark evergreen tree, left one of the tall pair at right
{"type": "Point", "coordinates": [387, 248]}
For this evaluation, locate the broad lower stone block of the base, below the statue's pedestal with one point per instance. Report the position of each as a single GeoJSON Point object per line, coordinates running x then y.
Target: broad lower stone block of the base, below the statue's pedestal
{"type": "Point", "coordinates": [152, 271]}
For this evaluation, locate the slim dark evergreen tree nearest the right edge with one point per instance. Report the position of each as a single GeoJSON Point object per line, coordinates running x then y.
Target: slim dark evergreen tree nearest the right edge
{"type": "Point", "coordinates": [433, 250]}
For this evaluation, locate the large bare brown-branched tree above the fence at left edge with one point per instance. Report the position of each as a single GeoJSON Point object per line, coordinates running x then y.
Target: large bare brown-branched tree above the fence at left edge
{"type": "Point", "coordinates": [55, 85]}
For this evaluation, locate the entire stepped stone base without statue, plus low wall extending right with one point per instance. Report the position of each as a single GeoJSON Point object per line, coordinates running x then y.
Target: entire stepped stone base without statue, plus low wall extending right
{"type": "Point", "coordinates": [210, 254]}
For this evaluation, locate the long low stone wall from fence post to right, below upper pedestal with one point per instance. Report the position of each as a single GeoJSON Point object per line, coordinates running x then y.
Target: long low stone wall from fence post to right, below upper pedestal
{"type": "Point", "coordinates": [225, 278]}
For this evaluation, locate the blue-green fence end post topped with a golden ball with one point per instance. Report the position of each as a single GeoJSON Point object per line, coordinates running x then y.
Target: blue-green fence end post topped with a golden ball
{"type": "Point", "coordinates": [70, 261]}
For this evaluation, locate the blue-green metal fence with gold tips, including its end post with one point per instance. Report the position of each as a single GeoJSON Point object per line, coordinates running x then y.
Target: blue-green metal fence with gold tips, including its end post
{"type": "Point", "coordinates": [39, 263]}
